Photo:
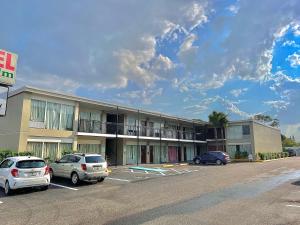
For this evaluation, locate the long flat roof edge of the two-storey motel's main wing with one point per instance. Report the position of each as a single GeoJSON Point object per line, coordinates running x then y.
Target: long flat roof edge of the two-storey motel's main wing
{"type": "Point", "coordinates": [100, 103]}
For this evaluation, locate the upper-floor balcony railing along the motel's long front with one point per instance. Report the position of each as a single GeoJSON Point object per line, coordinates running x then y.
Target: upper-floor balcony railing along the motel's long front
{"type": "Point", "coordinates": [93, 126]}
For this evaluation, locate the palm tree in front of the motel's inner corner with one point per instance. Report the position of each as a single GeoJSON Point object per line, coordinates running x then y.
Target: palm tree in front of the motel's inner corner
{"type": "Point", "coordinates": [218, 120]}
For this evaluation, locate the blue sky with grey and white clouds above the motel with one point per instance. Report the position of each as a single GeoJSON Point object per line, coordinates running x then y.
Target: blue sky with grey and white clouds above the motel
{"type": "Point", "coordinates": [185, 58]}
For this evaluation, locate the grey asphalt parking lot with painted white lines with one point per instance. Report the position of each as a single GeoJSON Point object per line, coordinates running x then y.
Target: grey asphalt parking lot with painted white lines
{"type": "Point", "coordinates": [166, 195]}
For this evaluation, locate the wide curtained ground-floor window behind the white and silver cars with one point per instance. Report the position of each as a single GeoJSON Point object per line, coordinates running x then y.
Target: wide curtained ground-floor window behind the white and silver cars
{"type": "Point", "coordinates": [49, 150]}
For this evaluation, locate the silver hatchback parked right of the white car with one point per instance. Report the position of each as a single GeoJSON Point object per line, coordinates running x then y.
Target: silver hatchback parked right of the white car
{"type": "Point", "coordinates": [80, 167]}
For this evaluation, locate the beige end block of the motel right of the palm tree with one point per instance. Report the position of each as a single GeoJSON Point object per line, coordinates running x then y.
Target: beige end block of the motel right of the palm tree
{"type": "Point", "coordinates": [252, 137]}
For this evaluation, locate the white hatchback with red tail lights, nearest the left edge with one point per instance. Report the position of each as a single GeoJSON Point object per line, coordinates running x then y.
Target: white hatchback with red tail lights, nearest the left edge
{"type": "Point", "coordinates": [23, 171]}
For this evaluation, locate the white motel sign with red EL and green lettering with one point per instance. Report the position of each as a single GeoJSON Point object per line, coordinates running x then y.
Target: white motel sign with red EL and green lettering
{"type": "Point", "coordinates": [8, 66]}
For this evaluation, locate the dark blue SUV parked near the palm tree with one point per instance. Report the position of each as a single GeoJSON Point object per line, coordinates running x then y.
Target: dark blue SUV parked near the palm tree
{"type": "Point", "coordinates": [212, 157]}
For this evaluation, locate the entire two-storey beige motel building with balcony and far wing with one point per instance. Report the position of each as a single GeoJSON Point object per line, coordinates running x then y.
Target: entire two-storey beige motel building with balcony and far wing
{"type": "Point", "coordinates": [50, 123]}
